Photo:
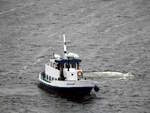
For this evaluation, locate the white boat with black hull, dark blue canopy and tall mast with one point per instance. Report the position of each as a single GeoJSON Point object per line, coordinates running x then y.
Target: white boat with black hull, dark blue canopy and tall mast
{"type": "Point", "coordinates": [63, 75]}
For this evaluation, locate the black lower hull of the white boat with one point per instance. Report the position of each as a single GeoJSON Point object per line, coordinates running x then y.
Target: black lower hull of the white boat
{"type": "Point", "coordinates": [76, 91]}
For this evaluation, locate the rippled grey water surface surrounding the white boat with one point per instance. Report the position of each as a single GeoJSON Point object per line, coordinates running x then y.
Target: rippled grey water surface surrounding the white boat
{"type": "Point", "coordinates": [109, 35]}
